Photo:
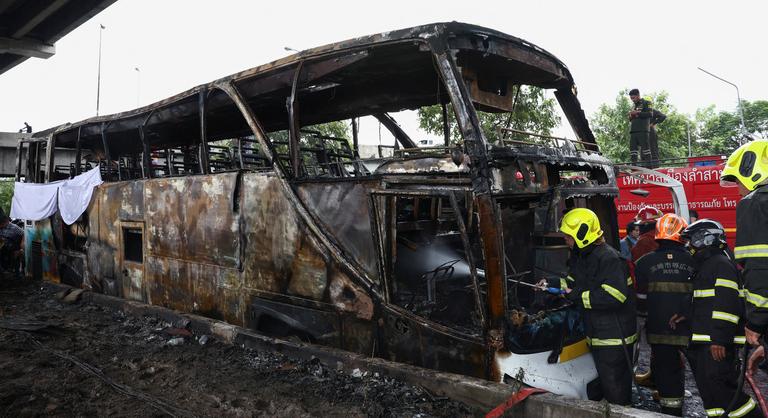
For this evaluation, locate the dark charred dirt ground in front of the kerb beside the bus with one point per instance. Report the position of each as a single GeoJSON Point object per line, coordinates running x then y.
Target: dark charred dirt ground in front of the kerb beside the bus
{"type": "Point", "coordinates": [85, 360]}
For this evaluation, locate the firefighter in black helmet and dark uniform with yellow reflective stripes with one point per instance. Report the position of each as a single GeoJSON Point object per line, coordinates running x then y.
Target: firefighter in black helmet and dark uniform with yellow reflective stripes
{"type": "Point", "coordinates": [717, 322]}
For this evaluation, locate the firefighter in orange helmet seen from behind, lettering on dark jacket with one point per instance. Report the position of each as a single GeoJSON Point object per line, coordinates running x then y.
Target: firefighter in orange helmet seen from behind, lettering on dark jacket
{"type": "Point", "coordinates": [668, 271]}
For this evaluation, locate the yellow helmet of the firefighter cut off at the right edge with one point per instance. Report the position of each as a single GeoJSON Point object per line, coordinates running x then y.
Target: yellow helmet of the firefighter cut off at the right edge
{"type": "Point", "coordinates": [747, 165]}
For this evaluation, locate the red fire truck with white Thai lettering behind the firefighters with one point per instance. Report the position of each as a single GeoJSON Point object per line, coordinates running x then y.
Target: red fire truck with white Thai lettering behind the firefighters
{"type": "Point", "coordinates": [700, 177]}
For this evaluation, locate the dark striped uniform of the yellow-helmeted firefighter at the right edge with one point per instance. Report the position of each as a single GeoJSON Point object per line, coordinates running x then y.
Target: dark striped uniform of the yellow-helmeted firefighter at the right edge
{"type": "Point", "coordinates": [752, 252]}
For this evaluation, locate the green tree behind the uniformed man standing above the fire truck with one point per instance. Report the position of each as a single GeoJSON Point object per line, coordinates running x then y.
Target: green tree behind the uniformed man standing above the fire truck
{"type": "Point", "coordinates": [610, 125]}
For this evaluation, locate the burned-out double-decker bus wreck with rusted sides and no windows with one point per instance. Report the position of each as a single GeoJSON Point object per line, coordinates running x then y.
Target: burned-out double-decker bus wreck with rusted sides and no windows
{"type": "Point", "coordinates": [228, 201]}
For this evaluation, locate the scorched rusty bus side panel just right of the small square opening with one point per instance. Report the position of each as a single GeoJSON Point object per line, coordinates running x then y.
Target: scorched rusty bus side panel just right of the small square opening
{"type": "Point", "coordinates": [193, 246]}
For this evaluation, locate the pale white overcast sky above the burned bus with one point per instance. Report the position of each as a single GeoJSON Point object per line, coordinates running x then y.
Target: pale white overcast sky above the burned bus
{"type": "Point", "coordinates": [178, 44]}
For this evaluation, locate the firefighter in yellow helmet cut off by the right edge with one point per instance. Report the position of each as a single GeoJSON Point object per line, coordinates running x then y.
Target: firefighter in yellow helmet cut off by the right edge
{"type": "Point", "coordinates": [747, 168]}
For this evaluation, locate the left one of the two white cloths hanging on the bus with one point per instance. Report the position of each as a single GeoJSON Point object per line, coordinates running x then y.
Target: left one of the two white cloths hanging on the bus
{"type": "Point", "coordinates": [34, 201]}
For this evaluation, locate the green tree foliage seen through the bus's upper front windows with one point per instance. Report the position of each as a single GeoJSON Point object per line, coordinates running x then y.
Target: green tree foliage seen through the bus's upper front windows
{"type": "Point", "coordinates": [533, 112]}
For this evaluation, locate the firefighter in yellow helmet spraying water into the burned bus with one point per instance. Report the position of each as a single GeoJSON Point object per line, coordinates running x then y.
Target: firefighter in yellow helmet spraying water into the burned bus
{"type": "Point", "coordinates": [601, 287]}
